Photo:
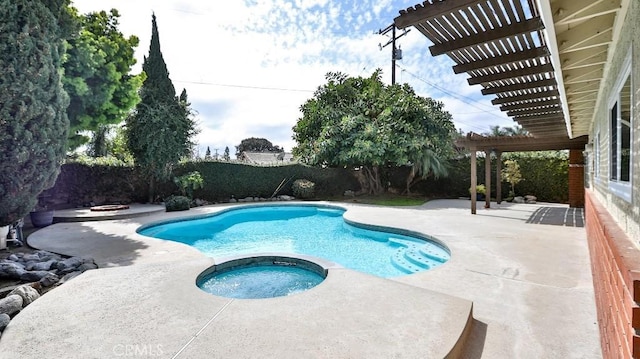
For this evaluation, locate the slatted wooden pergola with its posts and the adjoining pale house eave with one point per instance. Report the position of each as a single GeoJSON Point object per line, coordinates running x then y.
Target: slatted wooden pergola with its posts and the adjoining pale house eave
{"type": "Point", "coordinates": [543, 60]}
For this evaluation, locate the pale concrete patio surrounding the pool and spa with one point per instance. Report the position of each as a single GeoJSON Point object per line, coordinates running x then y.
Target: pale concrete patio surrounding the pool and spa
{"type": "Point", "coordinates": [525, 268]}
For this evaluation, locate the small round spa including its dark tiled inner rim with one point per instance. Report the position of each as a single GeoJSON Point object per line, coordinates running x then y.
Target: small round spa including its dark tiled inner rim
{"type": "Point", "coordinates": [261, 277]}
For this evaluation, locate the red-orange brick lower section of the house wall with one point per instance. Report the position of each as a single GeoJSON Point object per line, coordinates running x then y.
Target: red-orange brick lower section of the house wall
{"type": "Point", "coordinates": [615, 264]}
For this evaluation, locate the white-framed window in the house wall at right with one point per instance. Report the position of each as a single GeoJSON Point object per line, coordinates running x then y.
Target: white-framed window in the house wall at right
{"type": "Point", "coordinates": [620, 120]}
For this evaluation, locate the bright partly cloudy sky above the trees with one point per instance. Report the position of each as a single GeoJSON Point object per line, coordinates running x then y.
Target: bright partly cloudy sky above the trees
{"type": "Point", "coordinates": [248, 65]}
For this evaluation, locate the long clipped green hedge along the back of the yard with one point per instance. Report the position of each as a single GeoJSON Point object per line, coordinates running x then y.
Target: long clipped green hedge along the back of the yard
{"type": "Point", "coordinates": [545, 176]}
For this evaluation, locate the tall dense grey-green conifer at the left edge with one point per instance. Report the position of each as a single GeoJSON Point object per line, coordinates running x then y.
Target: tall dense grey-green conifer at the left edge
{"type": "Point", "coordinates": [33, 123]}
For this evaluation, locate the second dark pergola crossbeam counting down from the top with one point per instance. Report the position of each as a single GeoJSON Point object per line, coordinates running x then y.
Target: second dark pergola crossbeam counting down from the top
{"type": "Point", "coordinates": [526, 26]}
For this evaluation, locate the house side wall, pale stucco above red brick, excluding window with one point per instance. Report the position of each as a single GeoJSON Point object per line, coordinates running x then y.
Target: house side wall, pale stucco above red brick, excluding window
{"type": "Point", "coordinates": [613, 222]}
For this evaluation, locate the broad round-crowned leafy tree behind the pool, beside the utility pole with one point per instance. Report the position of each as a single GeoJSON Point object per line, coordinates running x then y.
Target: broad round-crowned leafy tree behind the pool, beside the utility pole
{"type": "Point", "coordinates": [364, 124]}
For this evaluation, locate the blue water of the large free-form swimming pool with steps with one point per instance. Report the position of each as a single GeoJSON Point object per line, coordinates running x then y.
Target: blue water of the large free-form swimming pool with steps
{"type": "Point", "coordinates": [311, 230]}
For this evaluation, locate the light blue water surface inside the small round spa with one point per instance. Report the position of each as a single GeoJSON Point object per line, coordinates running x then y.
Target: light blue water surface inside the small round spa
{"type": "Point", "coordinates": [260, 281]}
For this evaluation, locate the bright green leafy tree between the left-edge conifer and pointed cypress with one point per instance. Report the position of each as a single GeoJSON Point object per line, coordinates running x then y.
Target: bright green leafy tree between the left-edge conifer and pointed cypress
{"type": "Point", "coordinates": [97, 75]}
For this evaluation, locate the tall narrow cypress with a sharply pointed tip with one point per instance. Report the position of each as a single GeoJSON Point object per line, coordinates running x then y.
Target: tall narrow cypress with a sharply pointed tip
{"type": "Point", "coordinates": [160, 131]}
